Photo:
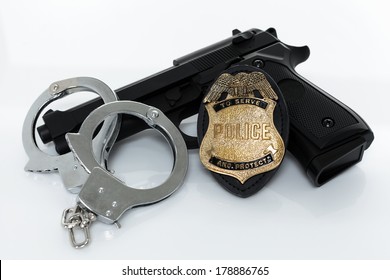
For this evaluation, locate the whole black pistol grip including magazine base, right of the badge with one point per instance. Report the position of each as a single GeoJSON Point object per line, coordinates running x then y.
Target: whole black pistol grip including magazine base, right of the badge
{"type": "Point", "coordinates": [326, 136]}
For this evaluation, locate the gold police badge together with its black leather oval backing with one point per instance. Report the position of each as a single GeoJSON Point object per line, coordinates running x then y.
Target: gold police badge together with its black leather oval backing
{"type": "Point", "coordinates": [243, 129]}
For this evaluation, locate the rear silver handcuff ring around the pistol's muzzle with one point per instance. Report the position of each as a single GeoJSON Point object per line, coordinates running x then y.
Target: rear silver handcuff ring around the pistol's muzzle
{"type": "Point", "coordinates": [72, 176]}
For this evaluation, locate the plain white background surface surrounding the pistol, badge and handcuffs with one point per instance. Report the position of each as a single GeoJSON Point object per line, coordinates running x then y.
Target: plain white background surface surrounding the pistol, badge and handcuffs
{"type": "Point", "coordinates": [121, 42]}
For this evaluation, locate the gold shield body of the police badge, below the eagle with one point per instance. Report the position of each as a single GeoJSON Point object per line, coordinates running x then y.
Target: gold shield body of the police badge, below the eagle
{"type": "Point", "coordinates": [241, 140]}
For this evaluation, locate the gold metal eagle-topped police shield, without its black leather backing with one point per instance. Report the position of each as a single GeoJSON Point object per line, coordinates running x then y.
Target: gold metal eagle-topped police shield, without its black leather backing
{"type": "Point", "coordinates": [241, 139]}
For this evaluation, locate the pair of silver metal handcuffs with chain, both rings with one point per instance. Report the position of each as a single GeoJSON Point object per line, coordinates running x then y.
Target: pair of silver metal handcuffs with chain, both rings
{"type": "Point", "coordinates": [101, 196]}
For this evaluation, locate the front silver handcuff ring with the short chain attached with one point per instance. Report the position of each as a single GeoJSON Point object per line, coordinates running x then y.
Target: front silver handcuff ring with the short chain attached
{"type": "Point", "coordinates": [105, 197]}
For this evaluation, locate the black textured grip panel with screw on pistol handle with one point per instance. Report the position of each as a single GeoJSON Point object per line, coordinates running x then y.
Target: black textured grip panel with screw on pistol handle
{"type": "Point", "coordinates": [308, 106]}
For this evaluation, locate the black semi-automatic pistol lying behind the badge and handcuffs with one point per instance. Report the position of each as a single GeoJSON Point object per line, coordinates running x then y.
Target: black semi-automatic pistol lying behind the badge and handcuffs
{"type": "Point", "coordinates": [326, 136]}
